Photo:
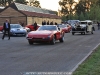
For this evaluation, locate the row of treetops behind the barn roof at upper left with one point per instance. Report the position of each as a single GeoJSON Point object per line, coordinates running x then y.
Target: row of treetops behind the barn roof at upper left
{"type": "Point", "coordinates": [35, 3]}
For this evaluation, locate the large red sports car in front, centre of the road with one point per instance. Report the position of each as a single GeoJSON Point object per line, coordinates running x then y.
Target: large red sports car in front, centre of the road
{"type": "Point", "coordinates": [46, 33]}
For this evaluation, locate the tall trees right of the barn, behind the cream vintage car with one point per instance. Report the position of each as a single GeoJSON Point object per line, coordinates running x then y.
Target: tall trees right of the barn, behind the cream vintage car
{"type": "Point", "coordinates": [82, 10]}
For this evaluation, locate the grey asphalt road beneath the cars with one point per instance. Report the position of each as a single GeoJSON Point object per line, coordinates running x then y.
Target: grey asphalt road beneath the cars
{"type": "Point", "coordinates": [18, 57]}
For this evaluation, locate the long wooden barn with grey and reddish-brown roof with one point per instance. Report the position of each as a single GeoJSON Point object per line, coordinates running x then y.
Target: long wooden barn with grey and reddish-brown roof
{"type": "Point", "coordinates": [17, 12]}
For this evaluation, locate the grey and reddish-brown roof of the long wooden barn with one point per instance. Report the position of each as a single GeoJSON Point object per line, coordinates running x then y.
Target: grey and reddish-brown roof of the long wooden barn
{"type": "Point", "coordinates": [33, 11]}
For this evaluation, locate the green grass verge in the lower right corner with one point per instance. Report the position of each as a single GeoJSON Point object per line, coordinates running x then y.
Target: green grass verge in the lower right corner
{"type": "Point", "coordinates": [91, 66]}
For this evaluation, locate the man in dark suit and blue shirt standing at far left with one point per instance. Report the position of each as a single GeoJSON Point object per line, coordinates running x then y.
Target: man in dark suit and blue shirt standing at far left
{"type": "Point", "coordinates": [6, 28]}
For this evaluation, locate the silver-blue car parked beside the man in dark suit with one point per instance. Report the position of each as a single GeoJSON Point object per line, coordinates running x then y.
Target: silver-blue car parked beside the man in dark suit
{"type": "Point", "coordinates": [17, 29]}
